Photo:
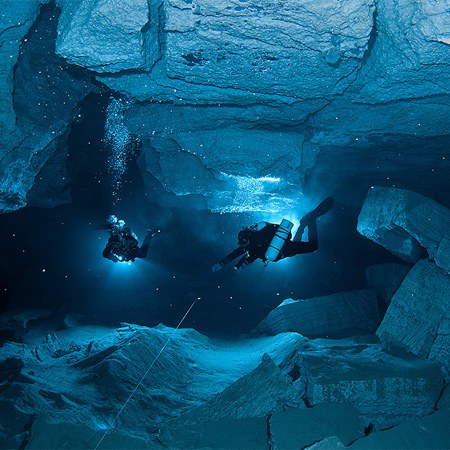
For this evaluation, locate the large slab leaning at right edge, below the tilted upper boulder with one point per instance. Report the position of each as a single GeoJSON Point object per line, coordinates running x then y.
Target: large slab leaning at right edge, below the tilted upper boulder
{"type": "Point", "coordinates": [418, 318]}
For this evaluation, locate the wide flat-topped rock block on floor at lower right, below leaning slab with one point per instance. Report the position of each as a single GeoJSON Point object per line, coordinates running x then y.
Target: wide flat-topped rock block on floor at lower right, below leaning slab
{"type": "Point", "coordinates": [386, 389]}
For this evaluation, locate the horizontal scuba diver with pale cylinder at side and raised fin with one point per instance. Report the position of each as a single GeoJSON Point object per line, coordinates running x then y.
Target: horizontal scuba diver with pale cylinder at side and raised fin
{"type": "Point", "coordinates": [272, 242]}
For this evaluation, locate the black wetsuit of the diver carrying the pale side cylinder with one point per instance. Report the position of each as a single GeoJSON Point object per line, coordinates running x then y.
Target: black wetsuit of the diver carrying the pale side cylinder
{"type": "Point", "coordinates": [259, 241]}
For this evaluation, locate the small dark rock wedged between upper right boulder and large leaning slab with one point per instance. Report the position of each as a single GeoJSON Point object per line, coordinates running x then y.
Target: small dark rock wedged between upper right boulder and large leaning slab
{"type": "Point", "coordinates": [385, 279]}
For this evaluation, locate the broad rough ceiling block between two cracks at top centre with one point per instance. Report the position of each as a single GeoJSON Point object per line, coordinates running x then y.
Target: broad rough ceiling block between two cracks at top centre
{"type": "Point", "coordinates": [246, 49]}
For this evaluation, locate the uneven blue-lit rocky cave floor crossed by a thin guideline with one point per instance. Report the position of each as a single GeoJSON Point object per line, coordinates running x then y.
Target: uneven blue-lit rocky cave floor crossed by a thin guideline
{"type": "Point", "coordinates": [201, 391]}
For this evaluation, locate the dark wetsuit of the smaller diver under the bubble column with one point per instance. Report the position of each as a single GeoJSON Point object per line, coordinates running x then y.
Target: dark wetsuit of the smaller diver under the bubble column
{"type": "Point", "coordinates": [122, 246]}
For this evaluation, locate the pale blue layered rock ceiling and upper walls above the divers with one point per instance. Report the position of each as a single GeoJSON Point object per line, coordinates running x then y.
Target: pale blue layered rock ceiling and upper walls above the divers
{"type": "Point", "coordinates": [239, 90]}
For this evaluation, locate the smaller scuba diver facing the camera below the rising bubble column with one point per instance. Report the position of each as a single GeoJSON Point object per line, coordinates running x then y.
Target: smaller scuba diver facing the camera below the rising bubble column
{"type": "Point", "coordinates": [122, 244]}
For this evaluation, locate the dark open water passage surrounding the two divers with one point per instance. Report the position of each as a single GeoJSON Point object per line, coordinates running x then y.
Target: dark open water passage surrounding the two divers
{"type": "Point", "coordinates": [55, 254]}
